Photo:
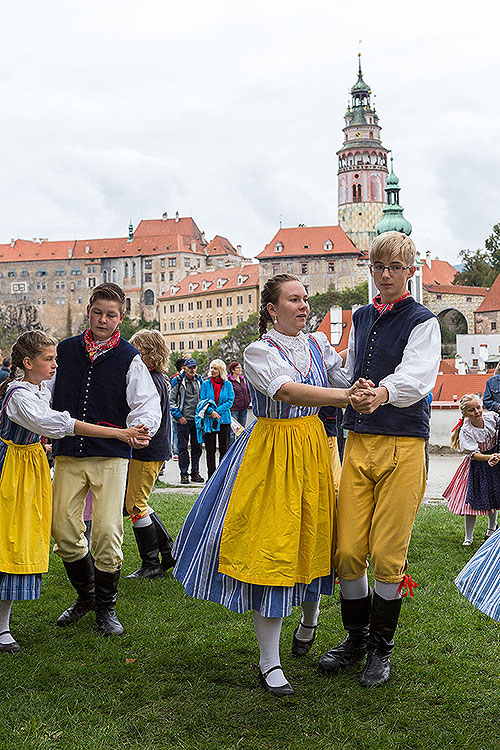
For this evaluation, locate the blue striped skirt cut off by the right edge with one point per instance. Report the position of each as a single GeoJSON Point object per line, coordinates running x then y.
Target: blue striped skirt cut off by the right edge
{"type": "Point", "coordinates": [479, 581]}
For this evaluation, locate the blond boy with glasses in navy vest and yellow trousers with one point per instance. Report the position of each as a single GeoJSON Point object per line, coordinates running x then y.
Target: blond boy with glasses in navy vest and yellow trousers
{"type": "Point", "coordinates": [395, 344]}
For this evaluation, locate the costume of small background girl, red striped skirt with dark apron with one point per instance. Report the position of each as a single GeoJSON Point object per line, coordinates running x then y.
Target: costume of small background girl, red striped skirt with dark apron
{"type": "Point", "coordinates": [475, 487]}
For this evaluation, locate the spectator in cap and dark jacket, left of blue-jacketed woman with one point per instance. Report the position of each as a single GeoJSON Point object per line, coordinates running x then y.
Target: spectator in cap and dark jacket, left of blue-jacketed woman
{"type": "Point", "coordinates": [184, 400]}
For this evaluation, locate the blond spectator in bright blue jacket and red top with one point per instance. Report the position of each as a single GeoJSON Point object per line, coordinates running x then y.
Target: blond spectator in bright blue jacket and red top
{"type": "Point", "coordinates": [216, 399]}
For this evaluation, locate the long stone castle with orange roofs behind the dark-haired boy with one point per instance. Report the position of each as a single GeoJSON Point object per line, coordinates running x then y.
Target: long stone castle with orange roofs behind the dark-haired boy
{"type": "Point", "coordinates": [56, 278]}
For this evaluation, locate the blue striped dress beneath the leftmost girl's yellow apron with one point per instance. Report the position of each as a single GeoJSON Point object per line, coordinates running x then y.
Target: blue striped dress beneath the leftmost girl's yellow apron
{"type": "Point", "coordinates": [14, 585]}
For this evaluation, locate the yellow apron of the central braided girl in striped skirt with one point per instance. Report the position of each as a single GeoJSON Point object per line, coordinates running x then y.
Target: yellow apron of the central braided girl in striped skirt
{"type": "Point", "coordinates": [279, 524]}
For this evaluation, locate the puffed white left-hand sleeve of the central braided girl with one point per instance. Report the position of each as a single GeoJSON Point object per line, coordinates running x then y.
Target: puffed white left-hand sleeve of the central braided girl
{"type": "Point", "coordinates": [265, 369]}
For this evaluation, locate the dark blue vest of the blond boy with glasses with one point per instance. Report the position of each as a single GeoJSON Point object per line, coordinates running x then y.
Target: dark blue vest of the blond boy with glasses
{"type": "Point", "coordinates": [380, 342]}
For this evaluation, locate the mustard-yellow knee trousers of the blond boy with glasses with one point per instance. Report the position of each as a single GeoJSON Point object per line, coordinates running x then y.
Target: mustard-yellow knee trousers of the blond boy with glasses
{"type": "Point", "coordinates": [381, 488]}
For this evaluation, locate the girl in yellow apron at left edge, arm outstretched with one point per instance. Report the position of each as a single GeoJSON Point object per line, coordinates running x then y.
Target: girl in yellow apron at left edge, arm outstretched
{"type": "Point", "coordinates": [25, 488]}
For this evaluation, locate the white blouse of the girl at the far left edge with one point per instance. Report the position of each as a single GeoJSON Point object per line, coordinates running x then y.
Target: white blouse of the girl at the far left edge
{"type": "Point", "coordinates": [29, 407]}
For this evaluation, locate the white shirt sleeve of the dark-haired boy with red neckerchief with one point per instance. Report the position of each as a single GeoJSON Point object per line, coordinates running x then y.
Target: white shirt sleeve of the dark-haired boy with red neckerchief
{"type": "Point", "coordinates": [142, 397]}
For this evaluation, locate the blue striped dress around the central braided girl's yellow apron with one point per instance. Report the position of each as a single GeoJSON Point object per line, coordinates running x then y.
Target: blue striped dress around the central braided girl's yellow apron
{"type": "Point", "coordinates": [197, 546]}
